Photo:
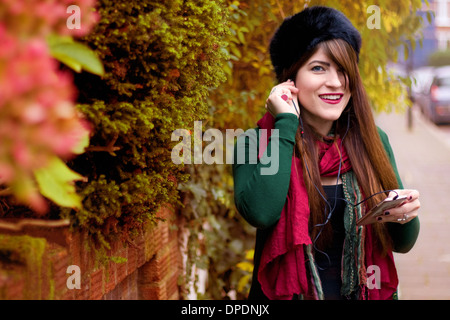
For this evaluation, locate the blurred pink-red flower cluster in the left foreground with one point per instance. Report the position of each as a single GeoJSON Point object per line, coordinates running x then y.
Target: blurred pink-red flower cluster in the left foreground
{"type": "Point", "coordinates": [38, 119]}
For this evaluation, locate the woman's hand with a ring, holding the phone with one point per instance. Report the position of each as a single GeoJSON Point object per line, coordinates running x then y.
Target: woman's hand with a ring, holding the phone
{"type": "Point", "coordinates": [404, 213]}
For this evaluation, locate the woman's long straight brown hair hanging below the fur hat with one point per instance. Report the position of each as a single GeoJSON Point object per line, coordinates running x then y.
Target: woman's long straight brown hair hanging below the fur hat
{"type": "Point", "coordinates": [369, 160]}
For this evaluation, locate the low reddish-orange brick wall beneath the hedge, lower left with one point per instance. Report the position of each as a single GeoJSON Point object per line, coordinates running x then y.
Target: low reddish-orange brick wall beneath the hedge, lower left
{"type": "Point", "coordinates": [151, 269]}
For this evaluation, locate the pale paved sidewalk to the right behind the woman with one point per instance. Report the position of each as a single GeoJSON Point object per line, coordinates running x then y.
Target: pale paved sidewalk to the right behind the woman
{"type": "Point", "coordinates": [423, 161]}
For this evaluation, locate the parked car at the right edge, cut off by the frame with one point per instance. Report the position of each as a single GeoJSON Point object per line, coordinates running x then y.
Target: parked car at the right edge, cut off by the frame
{"type": "Point", "coordinates": [433, 98]}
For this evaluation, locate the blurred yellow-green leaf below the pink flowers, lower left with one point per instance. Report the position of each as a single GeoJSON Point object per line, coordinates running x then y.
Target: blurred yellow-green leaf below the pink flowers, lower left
{"type": "Point", "coordinates": [55, 182]}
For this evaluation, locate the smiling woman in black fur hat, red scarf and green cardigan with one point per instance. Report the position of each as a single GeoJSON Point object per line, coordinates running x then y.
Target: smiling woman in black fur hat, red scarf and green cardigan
{"type": "Point", "coordinates": [334, 165]}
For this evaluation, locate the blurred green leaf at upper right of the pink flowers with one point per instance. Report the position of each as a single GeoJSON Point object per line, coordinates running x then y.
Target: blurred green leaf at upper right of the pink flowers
{"type": "Point", "coordinates": [76, 56]}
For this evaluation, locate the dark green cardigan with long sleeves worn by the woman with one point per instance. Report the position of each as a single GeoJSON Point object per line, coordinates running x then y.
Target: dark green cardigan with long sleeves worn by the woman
{"type": "Point", "coordinates": [260, 198]}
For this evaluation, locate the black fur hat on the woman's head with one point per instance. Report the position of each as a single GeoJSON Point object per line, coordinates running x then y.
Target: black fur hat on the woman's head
{"type": "Point", "coordinates": [303, 31]}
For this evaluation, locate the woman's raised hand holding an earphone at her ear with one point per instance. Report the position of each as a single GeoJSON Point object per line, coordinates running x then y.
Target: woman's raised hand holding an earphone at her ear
{"type": "Point", "coordinates": [283, 99]}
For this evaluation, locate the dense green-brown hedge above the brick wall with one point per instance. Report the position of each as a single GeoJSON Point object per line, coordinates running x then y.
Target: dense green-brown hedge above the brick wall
{"type": "Point", "coordinates": [161, 60]}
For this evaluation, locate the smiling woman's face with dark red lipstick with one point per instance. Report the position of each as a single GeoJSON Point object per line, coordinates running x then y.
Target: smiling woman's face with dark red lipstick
{"type": "Point", "coordinates": [323, 92]}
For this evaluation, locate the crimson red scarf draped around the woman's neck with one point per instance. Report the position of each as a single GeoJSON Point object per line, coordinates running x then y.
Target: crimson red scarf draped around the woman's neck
{"type": "Point", "coordinates": [282, 271]}
